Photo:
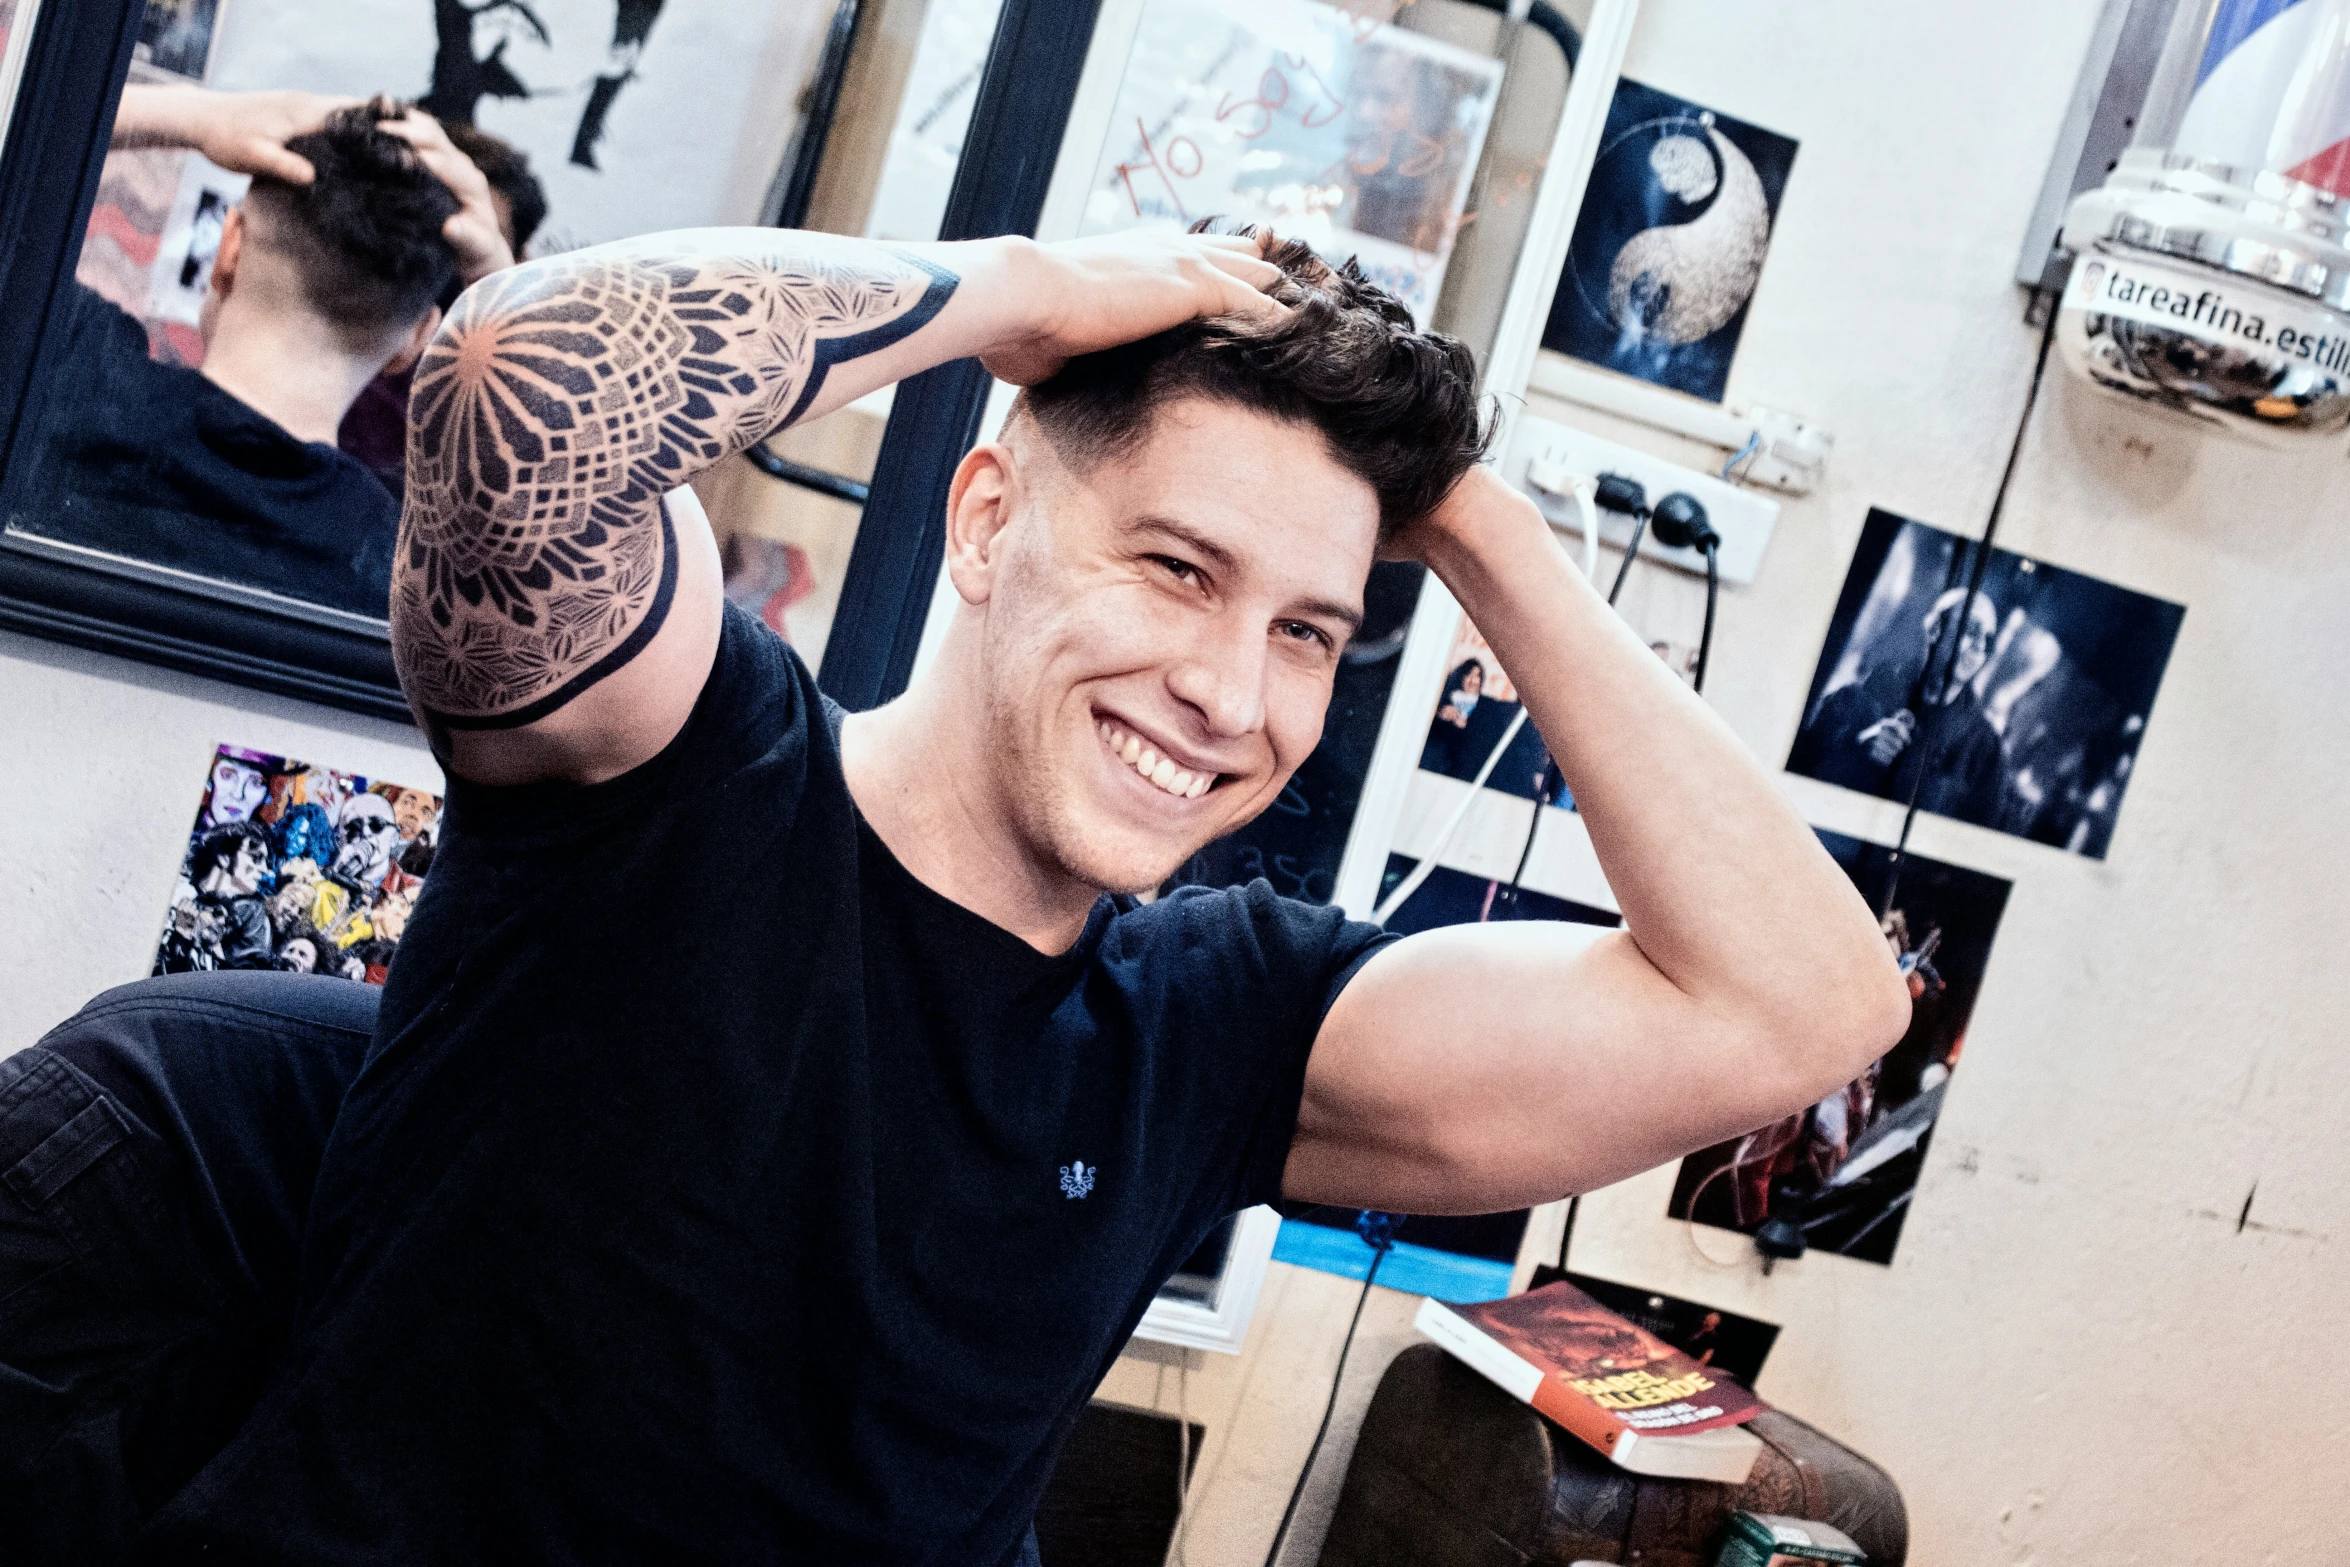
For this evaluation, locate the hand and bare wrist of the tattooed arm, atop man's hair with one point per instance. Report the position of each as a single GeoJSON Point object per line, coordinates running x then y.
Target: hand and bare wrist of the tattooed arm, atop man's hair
{"type": "Point", "coordinates": [1092, 295]}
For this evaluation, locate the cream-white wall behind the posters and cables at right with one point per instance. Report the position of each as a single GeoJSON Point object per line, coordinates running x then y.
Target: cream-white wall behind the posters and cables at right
{"type": "Point", "coordinates": [2079, 1354]}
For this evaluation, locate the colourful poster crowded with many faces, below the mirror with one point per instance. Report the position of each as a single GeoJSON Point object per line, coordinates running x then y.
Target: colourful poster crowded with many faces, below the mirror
{"type": "Point", "coordinates": [297, 868]}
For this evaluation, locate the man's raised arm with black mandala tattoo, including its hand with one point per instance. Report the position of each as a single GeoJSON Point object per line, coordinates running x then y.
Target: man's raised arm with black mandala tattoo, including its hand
{"type": "Point", "coordinates": [556, 600]}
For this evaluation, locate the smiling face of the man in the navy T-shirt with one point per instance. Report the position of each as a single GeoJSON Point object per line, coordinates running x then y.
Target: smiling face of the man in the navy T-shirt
{"type": "Point", "coordinates": [1162, 635]}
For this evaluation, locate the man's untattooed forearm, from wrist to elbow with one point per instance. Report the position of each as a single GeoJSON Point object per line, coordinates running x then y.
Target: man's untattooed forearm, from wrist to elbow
{"type": "Point", "coordinates": [1721, 885]}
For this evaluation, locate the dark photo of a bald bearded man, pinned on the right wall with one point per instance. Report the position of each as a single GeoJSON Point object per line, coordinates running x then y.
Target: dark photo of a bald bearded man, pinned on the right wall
{"type": "Point", "coordinates": [2025, 720]}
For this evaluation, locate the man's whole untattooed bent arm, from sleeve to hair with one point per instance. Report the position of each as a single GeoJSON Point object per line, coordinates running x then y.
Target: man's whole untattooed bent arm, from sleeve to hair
{"type": "Point", "coordinates": [1486, 1068]}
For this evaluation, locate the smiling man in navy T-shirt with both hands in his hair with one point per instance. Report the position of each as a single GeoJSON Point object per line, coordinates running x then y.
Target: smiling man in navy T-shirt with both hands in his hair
{"type": "Point", "coordinates": [800, 1220]}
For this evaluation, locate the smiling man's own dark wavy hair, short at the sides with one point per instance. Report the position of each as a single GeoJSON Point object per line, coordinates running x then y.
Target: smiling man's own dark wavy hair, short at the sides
{"type": "Point", "coordinates": [1397, 405]}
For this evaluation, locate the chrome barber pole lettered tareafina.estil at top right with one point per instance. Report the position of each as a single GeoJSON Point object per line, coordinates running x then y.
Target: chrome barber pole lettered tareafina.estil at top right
{"type": "Point", "coordinates": [2213, 269]}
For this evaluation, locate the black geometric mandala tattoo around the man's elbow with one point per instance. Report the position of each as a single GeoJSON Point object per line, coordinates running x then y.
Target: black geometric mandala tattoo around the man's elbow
{"type": "Point", "coordinates": [556, 412]}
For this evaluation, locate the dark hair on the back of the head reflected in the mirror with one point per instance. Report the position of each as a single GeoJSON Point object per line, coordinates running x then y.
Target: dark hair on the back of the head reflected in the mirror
{"type": "Point", "coordinates": [368, 231]}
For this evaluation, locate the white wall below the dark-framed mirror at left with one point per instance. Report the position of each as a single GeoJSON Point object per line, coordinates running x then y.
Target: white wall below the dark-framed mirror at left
{"type": "Point", "coordinates": [102, 767]}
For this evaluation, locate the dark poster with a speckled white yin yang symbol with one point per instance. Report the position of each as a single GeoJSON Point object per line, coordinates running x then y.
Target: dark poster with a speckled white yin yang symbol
{"type": "Point", "coordinates": [1670, 243]}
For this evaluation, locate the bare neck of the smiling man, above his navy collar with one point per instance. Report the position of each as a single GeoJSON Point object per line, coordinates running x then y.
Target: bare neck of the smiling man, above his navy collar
{"type": "Point", "coordinates": [920, 772]}
